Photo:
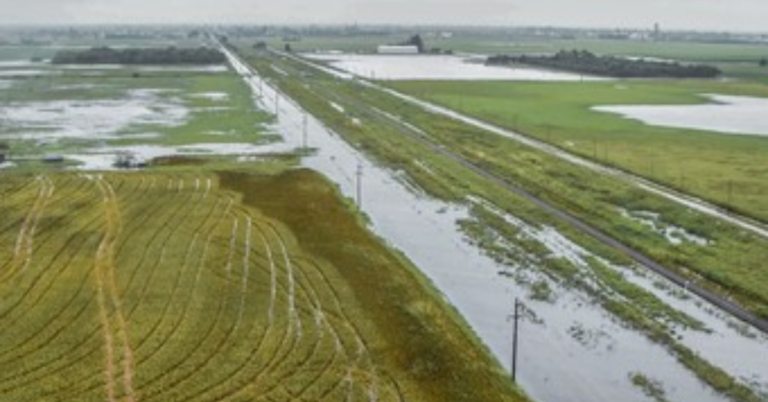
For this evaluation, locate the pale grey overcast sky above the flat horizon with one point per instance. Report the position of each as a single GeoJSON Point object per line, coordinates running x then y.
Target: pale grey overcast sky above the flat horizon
{"type": "Point", "coordinates": [682, 14]}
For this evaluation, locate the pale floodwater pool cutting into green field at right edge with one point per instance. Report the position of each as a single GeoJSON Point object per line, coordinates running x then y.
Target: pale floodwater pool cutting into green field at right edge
{"type": "Point", "coordinates": [724, 114]}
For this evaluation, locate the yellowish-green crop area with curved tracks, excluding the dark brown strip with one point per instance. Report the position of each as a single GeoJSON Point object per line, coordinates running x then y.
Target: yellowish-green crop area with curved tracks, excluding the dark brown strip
{"type": "Point", "coordinates": [274, 322]}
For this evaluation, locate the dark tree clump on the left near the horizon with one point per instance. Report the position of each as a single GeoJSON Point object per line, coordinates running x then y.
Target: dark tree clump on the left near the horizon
{"type": "Point", "coordinates": [170, 55]}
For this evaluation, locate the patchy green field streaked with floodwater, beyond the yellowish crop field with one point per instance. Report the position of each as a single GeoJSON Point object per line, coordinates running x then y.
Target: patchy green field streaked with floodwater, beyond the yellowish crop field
{"type": "Point", "coordinates": [146, 112]}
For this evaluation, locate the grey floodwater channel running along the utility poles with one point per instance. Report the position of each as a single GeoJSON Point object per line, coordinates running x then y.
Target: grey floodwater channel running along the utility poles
{"type": "Point", "coordinates": [554, 365]}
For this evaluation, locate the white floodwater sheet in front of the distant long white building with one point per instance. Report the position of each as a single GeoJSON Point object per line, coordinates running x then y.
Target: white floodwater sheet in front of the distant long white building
{"type": "Point", "coordinates": [436, 68]}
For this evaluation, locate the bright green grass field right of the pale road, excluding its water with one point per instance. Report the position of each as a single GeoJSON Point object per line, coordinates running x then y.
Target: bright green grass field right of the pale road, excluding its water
{"type": "Point", "coordinates": [729, 170]}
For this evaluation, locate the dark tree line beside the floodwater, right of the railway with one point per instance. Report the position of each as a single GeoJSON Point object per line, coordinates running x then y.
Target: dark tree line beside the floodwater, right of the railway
{"type": "Point", "coordinates": [585, 62]}
